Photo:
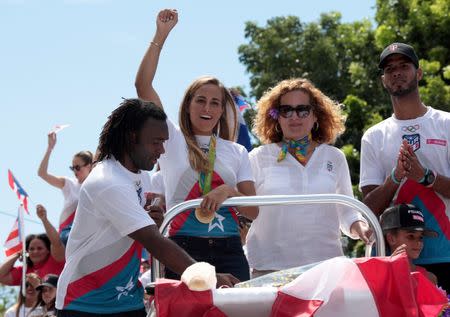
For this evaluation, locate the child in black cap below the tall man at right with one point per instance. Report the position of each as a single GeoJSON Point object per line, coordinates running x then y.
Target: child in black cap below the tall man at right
{"type": "Point", "coordinates": [404, 228]}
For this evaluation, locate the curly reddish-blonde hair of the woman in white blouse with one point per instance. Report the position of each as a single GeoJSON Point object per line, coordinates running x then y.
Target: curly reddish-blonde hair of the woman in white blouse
{"type": "Point", "coordinates": [328, 112]}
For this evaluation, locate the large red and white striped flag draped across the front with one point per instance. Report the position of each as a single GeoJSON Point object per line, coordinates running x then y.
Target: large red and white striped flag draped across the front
{"type": "Point", "coordinates": [338, 287]}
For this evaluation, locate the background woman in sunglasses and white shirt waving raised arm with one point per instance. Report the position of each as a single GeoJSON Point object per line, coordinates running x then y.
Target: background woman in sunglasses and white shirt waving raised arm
{"type": "Point", "coordinates": [82, 164]}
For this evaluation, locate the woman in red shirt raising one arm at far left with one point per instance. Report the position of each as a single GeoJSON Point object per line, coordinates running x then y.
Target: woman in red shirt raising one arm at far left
{"type": "Point", "coordinates": [45, 254]}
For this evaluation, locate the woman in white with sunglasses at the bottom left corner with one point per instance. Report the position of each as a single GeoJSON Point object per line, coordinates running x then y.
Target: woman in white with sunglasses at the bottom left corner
{"type": "Point", "coordinates": [25, 304]}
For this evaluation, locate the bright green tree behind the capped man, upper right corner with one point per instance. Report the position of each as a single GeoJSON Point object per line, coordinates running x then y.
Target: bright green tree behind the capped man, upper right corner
{"type": "Point", "coordinates": [426, 26]}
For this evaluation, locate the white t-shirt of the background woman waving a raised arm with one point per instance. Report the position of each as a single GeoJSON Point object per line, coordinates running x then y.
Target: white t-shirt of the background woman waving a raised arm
{"type": "Point", "coordinates": [71, 192]}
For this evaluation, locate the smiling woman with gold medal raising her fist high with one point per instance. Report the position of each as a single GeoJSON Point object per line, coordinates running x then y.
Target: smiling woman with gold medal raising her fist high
{"type": "Point", "coordinates": [201, 160]}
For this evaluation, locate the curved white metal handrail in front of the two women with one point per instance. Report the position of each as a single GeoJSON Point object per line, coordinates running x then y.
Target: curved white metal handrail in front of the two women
{"type": "Point", "coordinates": [281, 200]}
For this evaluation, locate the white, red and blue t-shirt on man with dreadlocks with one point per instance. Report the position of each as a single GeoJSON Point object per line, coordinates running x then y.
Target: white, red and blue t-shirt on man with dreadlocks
{"type": "Point", "coordinates": [102, 262]}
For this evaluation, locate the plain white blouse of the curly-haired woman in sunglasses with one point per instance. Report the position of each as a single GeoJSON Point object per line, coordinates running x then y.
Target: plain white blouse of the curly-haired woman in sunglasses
{"type": "Point", "coordinates": [282, 236]}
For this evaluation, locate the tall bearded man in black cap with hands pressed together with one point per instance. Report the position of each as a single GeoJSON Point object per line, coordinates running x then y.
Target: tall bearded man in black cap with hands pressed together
{"type": "Point", "coordinates": [405, 158]}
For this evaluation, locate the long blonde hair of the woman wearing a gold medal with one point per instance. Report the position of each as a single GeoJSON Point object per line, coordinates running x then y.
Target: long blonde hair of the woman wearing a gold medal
{"type": "Point", "coordinates": [226, 127]}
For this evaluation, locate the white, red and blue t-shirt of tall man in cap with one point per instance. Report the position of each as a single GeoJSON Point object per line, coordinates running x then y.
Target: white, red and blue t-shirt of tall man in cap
{"type": "Point", "coordinates": [430, 136]}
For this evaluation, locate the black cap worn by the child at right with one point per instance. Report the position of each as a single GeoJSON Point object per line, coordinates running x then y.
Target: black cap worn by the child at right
{"type": "Point", "coordinates": [406, 217]}
